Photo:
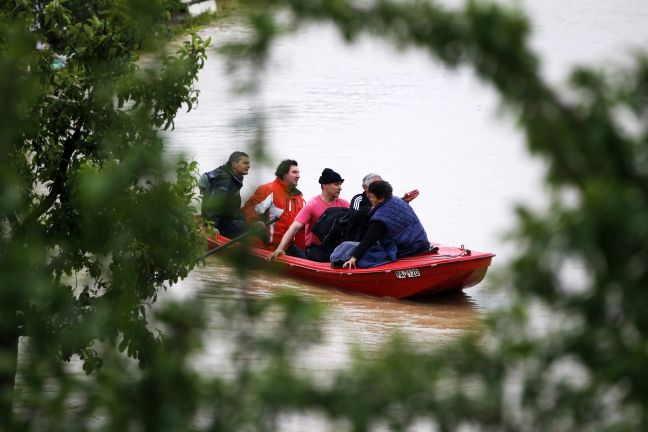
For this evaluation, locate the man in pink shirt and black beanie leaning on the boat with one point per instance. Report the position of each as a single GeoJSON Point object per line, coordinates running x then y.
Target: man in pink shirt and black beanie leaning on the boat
{"type": "Point", "coordinates": [331, 184]}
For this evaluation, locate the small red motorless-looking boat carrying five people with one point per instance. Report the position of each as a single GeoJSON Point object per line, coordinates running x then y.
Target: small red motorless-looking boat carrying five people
{"type": "Point", "coordinates": [447, 268]}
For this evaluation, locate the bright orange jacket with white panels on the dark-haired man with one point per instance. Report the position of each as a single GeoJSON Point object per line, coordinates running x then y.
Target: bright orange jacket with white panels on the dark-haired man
{"type": "Point", "coordinates": [275, 199]}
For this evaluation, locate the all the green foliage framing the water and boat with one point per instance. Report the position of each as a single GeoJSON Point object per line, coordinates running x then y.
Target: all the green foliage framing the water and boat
{"type": "Point", "coordinates": [92, 225]}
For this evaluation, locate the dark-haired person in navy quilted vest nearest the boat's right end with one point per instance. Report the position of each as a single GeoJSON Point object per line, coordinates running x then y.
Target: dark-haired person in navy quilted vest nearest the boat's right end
{"type": "Point", "coordinates": [390, 219]}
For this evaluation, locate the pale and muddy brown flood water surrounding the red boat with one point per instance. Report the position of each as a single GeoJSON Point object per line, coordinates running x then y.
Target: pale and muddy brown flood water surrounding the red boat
{"type": "Point", "coordinates": [369, 108]}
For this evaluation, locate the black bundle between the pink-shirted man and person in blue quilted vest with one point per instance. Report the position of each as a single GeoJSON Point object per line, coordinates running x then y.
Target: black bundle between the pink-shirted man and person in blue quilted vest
{"type": "Point", "coordinates": [338, 224]}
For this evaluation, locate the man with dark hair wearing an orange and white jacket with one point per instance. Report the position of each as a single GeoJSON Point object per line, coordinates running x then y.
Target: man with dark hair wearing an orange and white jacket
{"type": "Point", "coordinates": [281, 199]}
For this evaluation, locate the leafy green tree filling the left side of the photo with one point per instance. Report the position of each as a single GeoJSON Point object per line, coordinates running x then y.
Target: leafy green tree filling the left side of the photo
{"type": "Point", "coordinates": [94, 221]}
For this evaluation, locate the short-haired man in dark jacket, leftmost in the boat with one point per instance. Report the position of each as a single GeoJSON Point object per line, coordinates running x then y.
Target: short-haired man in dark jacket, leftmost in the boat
{"type": "Point", "coordinates": [221, 194]}
